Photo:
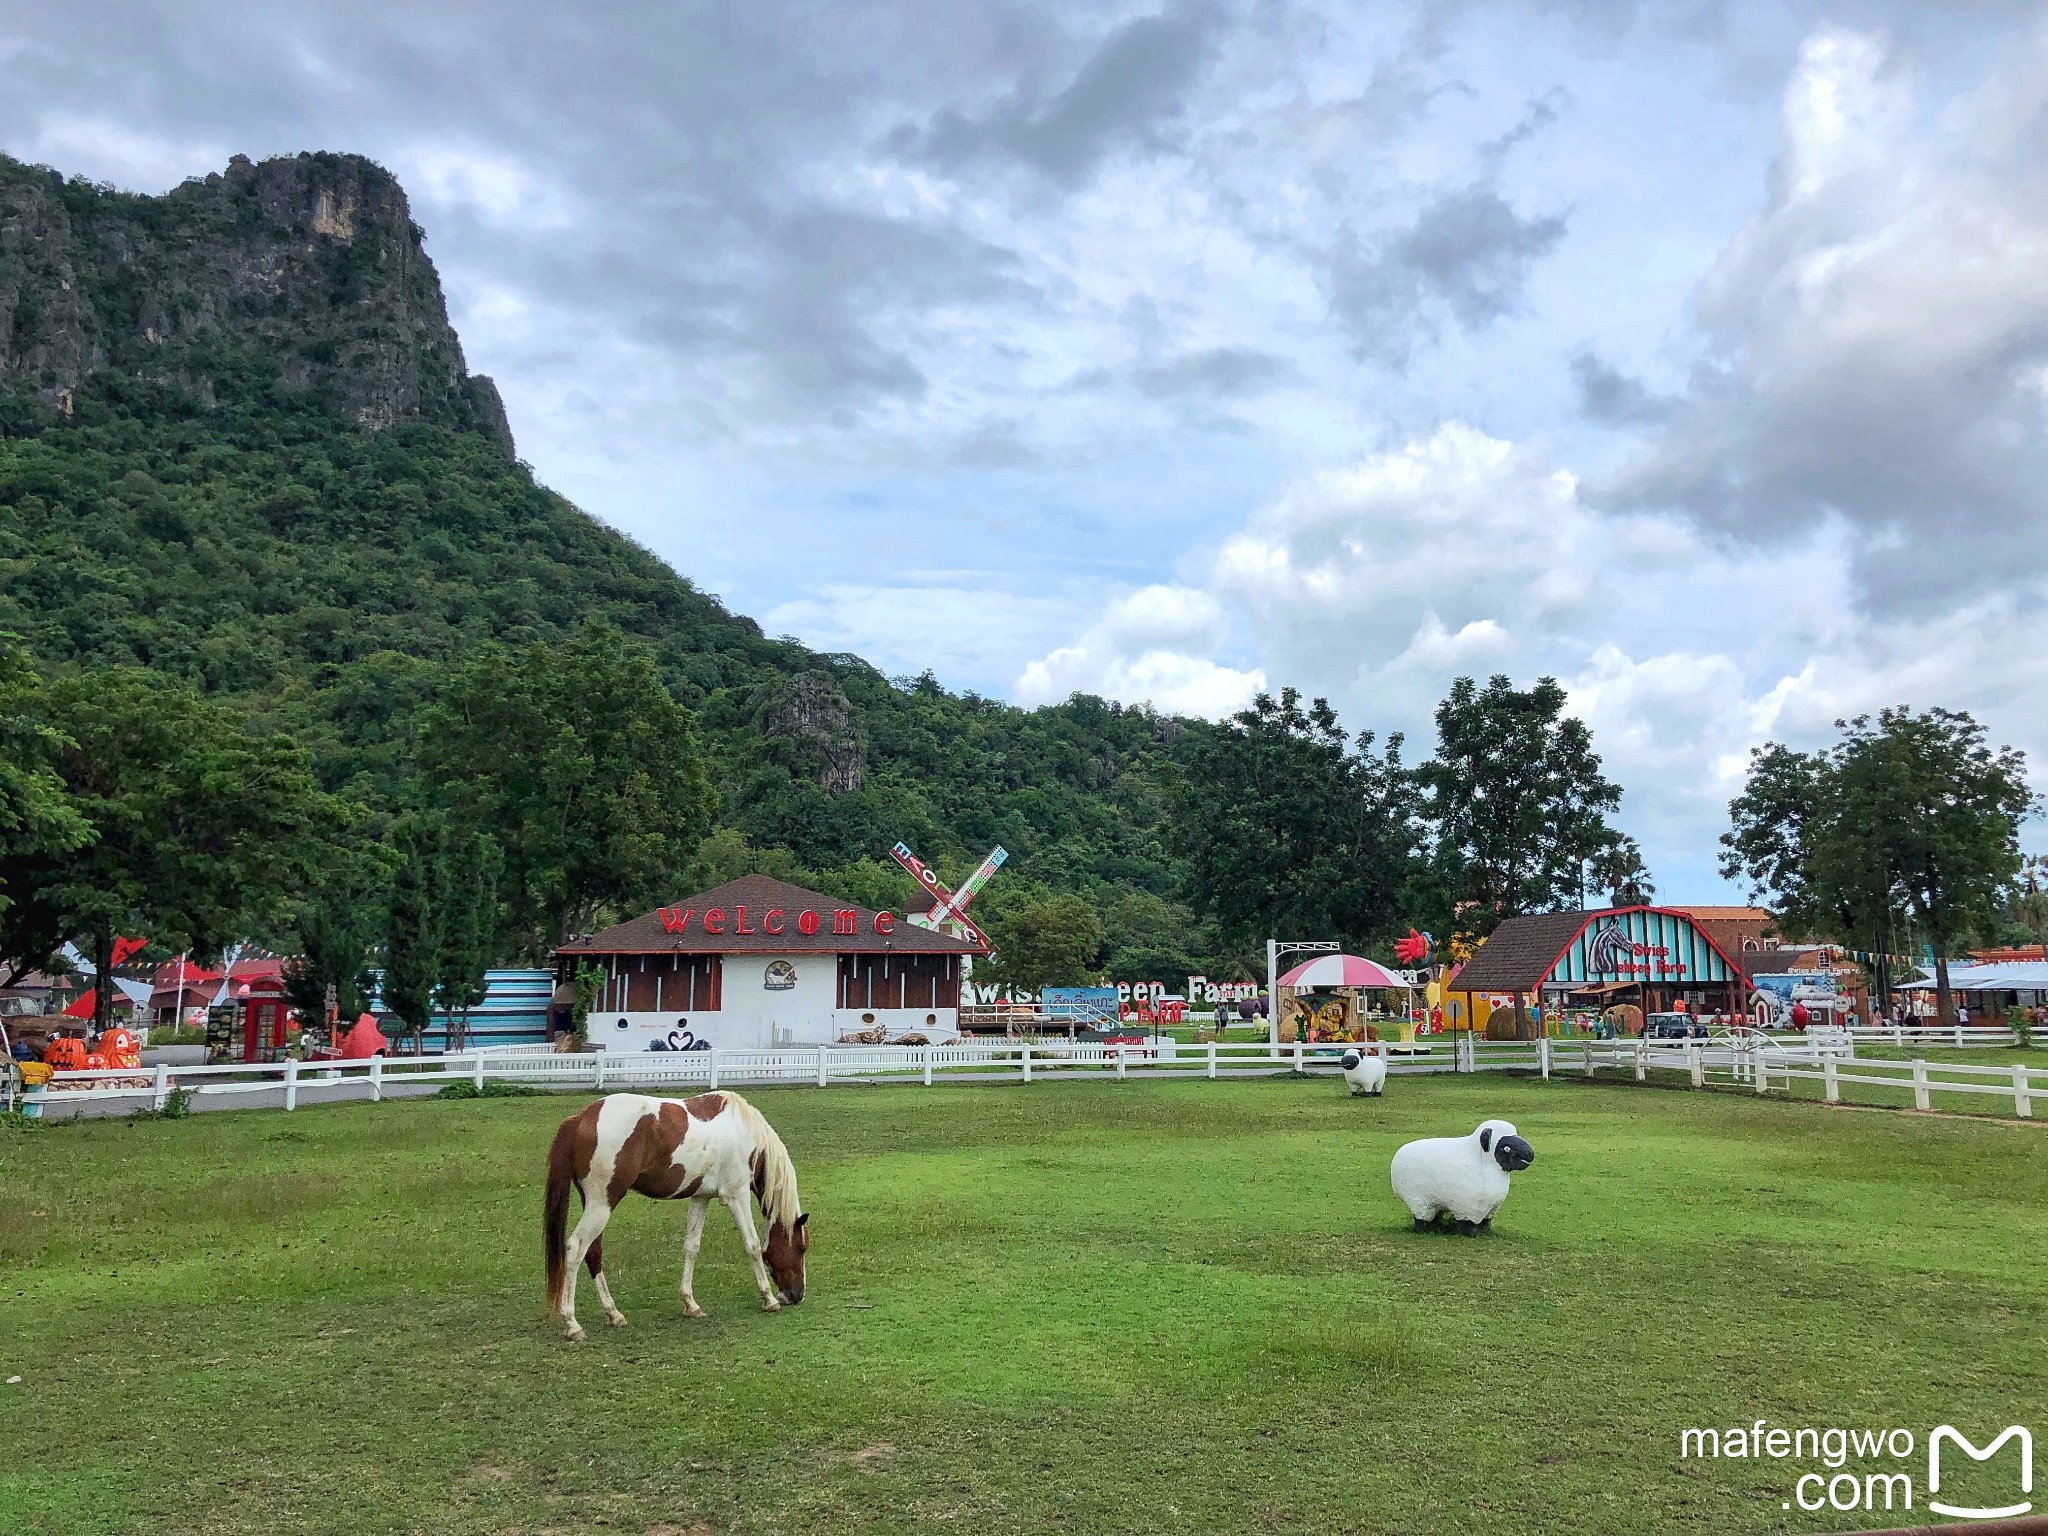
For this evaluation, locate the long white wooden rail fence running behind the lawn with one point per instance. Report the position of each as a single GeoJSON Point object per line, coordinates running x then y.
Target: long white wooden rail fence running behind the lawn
{"type": "Point", "coordinates": [1752, 1060]}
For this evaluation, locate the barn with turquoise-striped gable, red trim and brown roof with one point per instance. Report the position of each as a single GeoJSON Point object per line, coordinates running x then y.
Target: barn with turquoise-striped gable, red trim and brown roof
{"type": "Point", "coordinates": [1652, 959]}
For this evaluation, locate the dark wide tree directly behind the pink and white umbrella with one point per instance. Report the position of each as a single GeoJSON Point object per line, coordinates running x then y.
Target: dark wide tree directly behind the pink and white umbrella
{"type": "Point", "coordinates": [1285, 828]}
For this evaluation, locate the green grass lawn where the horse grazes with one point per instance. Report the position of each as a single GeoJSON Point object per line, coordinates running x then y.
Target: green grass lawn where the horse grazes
{"type": "Point", "coordinates": [1082, 1308]}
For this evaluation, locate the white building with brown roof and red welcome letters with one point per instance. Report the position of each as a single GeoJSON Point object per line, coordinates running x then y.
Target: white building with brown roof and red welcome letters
{"type": "Point", "coordinates": [761, 964]}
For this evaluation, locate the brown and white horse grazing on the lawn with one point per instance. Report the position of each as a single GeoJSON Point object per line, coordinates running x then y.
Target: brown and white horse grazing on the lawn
{"type": "Point", "coordinates": [699, 1150]}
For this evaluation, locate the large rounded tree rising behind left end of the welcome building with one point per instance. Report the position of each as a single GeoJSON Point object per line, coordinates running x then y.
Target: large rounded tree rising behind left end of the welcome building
{"type": "Point", "coordinates": [583, 769]}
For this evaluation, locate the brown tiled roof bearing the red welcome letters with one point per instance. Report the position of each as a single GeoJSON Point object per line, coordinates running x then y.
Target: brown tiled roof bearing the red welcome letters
{"type": "Point", "coordinates": [761, 896]}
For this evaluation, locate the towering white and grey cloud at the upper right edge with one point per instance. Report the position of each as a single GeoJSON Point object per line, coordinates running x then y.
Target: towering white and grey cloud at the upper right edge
{"type": "Point", "coordinates": [1879, 333]}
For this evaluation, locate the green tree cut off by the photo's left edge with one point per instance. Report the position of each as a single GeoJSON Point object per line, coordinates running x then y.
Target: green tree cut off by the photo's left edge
{"type": "Point", "coordinates": [38, 820]}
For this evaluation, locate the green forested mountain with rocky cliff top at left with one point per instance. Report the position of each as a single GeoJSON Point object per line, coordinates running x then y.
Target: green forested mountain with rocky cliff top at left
{"type": "Point", "coordinates": [183, 490]}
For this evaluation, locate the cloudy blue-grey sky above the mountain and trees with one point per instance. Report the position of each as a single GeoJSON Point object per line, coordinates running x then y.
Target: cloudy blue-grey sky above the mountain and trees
{"type": "Point", "coordinates": [1695, 355]}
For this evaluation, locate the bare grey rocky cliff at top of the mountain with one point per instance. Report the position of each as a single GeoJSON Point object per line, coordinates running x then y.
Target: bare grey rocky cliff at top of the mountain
{"type": "Point", "coordinates": [304, 275]}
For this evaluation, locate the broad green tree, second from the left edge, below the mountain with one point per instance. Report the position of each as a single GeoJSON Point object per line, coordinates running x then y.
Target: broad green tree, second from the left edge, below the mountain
{"type": "Point", "coordinates": [202, 828]}
